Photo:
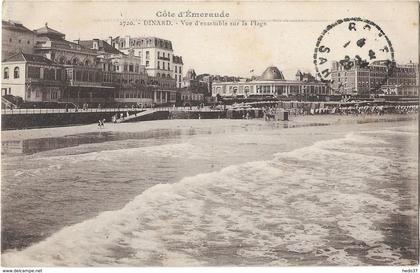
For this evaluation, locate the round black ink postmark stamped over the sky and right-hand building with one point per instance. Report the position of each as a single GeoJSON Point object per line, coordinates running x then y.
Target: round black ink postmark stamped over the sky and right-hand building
{"type": "Point", "coordinates": [354, 56]}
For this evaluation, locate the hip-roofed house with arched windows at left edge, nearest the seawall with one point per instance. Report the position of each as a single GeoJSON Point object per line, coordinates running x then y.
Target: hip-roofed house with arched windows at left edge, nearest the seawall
{"type": "Point", "coordinates": [32, 78]}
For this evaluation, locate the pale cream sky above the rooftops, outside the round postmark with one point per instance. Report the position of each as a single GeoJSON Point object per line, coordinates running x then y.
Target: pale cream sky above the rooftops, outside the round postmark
{"type": "Point", "coordinates": [227, 50]}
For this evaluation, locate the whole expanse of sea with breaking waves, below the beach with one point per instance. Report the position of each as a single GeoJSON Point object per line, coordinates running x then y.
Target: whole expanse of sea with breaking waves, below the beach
{"type": "Point", "coordinates": [254, 195]}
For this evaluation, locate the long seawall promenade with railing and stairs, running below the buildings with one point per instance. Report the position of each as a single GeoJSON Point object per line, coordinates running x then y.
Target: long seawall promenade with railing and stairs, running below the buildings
{"type": "Point", "coordinates": [41, 118]}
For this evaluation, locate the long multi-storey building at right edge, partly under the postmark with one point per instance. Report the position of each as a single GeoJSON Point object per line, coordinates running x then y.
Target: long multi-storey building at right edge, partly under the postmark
{"type": "Point", "coordinates": [375, 78]}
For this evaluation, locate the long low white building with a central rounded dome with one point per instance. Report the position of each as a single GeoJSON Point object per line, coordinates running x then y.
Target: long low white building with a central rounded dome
{"type": "Point", "coordinates": [270, 84]}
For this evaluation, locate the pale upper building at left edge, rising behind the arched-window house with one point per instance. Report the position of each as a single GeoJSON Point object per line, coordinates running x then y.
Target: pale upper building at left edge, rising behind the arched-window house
{"type": "Point", "coordinates": [16, 38]}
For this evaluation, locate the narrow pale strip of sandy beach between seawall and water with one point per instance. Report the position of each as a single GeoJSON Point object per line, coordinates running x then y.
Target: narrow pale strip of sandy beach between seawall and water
{"type": "Point", "coordinates": [142, 126]}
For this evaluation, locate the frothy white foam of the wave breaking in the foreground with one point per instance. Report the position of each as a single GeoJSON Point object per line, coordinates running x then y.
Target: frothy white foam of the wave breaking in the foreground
{"type": "Point", "coordinates": [251, 211]}
